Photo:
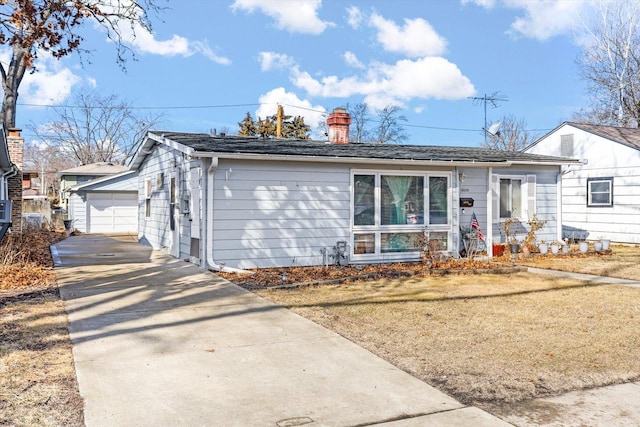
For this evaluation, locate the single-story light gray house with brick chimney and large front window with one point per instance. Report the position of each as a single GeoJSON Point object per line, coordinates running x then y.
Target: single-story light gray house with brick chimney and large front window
{"type": "Point", "coordinates": [234, 202]}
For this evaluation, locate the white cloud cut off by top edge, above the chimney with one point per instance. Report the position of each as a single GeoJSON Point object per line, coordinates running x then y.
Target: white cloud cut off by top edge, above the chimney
{"type": "Point", "coordinates": [298, 17]}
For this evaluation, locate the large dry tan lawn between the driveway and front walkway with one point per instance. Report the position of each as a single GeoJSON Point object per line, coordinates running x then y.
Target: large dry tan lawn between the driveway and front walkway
{"type": "Point", "coordinates": [486, 339]}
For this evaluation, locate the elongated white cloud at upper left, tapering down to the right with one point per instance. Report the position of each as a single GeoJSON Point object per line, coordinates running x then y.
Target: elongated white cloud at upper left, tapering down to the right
{"type": "Point", "coordinates": [145, 42]}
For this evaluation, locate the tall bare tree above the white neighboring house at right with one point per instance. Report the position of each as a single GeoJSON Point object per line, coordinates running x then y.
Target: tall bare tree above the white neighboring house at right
{"type": "Point", "coordinates": [610, 64]}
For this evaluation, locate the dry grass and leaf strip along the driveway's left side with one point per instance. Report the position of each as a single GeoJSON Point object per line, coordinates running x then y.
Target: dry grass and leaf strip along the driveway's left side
{"type": "Point", "coordinates": [38, 384]}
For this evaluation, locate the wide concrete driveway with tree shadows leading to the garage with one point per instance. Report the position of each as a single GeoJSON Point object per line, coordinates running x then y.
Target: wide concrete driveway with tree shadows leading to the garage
{"type": "Point", "coordinates": [158, 341]}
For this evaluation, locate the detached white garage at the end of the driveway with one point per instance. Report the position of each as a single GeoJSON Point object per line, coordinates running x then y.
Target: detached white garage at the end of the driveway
{"type": "Point", "coordinates": [105, 205]}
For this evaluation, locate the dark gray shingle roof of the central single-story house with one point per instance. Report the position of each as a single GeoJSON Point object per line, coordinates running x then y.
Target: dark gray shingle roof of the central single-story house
{"type": "Point", "coordinates": [202, 142]}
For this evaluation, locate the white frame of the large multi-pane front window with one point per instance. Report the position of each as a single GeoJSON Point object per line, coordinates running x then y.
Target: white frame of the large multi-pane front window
{"type": "Point", "coordinates": [363, 234]}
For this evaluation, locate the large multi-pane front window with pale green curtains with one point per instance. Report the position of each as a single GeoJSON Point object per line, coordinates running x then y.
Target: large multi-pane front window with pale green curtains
{"type": "Point", "coordinates": [391, 210]}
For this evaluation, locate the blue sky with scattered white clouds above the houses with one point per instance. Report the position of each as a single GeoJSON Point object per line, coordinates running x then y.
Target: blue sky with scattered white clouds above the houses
{"type": "Point", "coordinates": [210, 62]}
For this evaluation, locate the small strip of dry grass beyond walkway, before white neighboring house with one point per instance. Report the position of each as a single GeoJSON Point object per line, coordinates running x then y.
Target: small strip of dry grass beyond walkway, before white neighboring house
{"type": "Point", "coordinates": [623, 262]}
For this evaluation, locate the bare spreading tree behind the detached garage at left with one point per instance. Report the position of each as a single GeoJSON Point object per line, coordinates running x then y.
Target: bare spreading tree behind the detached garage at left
{"type": "Point", "coordinates": [97, 129]}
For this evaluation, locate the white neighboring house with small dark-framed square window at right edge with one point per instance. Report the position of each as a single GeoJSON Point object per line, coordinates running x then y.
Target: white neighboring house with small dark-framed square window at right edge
{"type": "Point", "coordinates": [600, 194]}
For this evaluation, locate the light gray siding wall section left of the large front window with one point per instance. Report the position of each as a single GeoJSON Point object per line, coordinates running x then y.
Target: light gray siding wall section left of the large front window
{"type": "Point", "coordinates": [269, 214]}
